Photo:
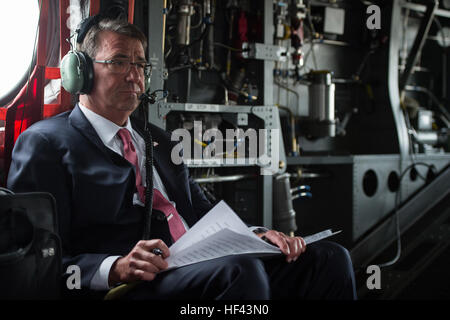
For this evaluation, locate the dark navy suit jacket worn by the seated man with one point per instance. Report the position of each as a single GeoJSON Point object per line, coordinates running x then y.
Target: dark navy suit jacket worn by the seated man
{"type": "Point", "coordinates": [94, 186]}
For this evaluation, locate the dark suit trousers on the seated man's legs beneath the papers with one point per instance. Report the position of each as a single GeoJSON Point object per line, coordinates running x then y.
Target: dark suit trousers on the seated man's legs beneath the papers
{"type": "Point", "coordinates": [323, 271]}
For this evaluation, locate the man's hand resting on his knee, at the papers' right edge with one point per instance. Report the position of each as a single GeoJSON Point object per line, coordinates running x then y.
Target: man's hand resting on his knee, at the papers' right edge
{"type": "Point", "coordinates": [292, 247]}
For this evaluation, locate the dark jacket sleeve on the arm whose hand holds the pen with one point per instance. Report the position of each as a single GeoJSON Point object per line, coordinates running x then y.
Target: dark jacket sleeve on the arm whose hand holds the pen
{"type": "Point", "coordinates": [38, 165]}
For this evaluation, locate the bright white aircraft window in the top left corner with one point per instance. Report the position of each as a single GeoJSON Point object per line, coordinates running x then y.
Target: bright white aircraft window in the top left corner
{"type": "Point", "coordinates": [18, 30]}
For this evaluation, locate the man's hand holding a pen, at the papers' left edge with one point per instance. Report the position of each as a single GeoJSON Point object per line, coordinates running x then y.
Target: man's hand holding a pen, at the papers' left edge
{"type": "Point", "coordinates": [140, 263]}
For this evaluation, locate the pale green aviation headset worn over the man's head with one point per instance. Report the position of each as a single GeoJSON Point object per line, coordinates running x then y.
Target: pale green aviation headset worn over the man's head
{"type": "Point", "coordinates": [77, 70]}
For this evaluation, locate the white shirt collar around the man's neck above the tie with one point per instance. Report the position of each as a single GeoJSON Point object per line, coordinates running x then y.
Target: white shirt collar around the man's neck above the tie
{"type": "Point", "coordinates": [106, 129]}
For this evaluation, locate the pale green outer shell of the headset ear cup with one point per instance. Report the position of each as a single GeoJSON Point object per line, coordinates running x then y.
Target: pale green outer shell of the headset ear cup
{"type": "Point", "coordinates": [72, 78]}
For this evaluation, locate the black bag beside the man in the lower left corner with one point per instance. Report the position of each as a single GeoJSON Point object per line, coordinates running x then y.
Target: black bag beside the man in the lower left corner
{"type": "Point", "coordinates": [30, 249]}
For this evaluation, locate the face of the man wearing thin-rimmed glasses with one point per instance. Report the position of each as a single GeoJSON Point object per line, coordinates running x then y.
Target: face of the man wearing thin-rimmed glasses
{"type": "Point", "coordinates": [115, 96]}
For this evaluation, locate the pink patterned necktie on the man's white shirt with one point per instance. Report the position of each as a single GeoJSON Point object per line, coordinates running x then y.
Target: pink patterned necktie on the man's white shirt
{"type": "Point", "coordinates": [160, 203]}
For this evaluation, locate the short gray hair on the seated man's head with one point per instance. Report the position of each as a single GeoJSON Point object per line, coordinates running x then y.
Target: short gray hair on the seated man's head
{"type": "Point", "coordinates": [120, 26]}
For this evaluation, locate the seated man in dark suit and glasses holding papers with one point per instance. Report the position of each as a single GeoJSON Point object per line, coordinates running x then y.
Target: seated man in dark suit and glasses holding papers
{"type": "Point", "coordinates": [82, 158]}
